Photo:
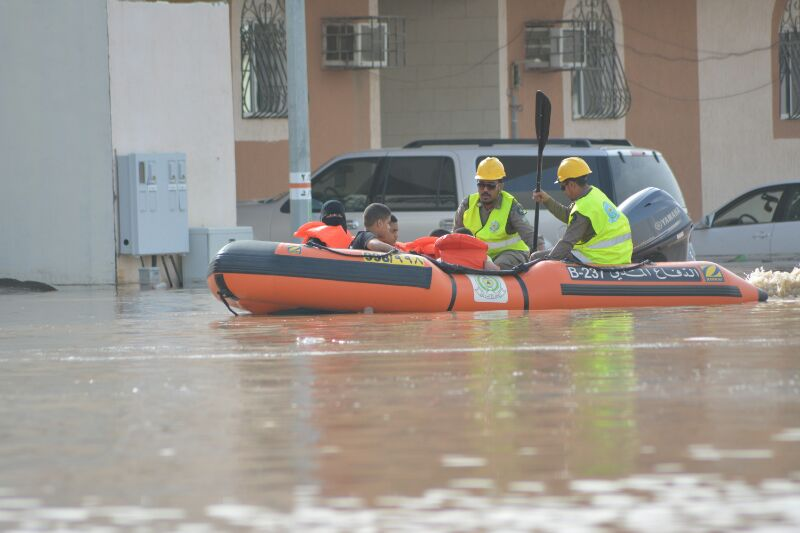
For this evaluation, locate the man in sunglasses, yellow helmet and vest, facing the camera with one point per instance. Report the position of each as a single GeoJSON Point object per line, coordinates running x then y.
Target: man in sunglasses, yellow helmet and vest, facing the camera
{"type": "Point", "coordinates": [495, 217]}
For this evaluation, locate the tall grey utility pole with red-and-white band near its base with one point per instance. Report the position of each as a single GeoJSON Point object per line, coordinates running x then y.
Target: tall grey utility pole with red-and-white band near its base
{"type": "Point", "coordinates": [299, 160]}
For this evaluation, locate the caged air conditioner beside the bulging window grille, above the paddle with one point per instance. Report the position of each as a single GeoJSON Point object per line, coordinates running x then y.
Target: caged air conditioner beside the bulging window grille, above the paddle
{"type": "Point", "coordinates": [552, 48]}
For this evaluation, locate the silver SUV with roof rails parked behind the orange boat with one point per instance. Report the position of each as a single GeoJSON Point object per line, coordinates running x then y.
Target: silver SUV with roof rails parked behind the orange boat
{"type": "Point", "coordinates": [424, 181]}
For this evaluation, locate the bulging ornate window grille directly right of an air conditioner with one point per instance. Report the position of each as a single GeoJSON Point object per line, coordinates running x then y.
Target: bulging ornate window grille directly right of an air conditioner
{"type": "Point", "coordinates": [599, 87]}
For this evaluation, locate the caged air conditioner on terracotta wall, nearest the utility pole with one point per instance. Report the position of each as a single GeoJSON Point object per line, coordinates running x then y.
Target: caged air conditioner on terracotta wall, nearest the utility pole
{"type": "Point", "coordinates": [356, 44]}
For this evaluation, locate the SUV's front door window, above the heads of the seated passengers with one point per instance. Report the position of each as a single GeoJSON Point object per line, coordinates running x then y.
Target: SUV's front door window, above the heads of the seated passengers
{"type": "Point", "coordinates": [350, 181]}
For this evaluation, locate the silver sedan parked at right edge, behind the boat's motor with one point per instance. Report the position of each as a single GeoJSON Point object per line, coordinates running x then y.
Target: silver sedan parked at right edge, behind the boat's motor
{"type": "Point", "coordinates": [759, 227]}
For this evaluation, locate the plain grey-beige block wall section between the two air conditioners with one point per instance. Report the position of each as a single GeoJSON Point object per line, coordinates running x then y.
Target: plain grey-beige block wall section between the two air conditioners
{"type": "Point", "coordinates": [449, 86]}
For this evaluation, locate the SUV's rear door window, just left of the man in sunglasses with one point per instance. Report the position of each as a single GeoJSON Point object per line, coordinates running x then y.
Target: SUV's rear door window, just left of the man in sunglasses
{"type": "Point", "coordinates": [420, 184]}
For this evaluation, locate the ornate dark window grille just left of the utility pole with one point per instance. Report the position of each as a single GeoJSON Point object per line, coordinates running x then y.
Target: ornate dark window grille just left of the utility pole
{"type": "Point", "coordinates": [264, 77]}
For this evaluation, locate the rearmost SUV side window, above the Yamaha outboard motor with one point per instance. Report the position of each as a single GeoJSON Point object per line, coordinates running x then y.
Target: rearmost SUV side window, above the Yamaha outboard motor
{"type": "Point", "coordinates": [632, 173]}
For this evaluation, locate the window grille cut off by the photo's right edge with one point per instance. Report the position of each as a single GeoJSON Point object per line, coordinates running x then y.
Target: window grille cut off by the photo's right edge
{"type": "Point", "coordinates": [789, 59]}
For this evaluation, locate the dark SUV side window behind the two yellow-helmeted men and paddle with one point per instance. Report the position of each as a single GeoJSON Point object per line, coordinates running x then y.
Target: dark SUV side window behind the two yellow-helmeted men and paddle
{"type": "Point", "coordinates": [521, 177]}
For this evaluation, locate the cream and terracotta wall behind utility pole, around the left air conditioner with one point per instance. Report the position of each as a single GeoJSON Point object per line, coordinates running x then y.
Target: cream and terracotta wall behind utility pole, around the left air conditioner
{"type": "Point", "coordinates": [344, 114]}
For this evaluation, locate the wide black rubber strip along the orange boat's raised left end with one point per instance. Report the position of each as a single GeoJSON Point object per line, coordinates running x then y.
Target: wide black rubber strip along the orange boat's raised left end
{"type": "Point", "coordinates": [254, 257]}
